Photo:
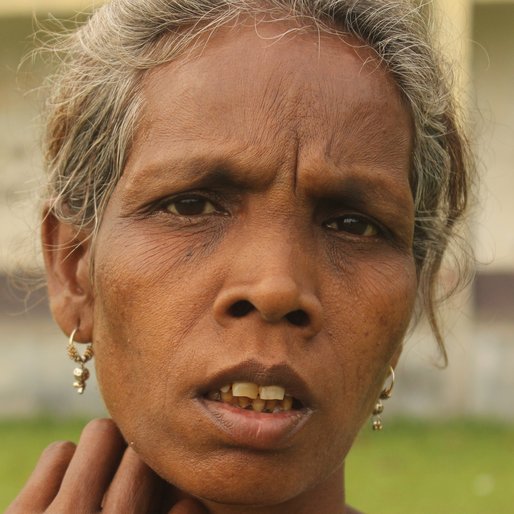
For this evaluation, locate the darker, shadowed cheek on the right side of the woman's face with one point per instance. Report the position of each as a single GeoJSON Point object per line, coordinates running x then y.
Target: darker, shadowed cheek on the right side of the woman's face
{"type": "Point", "coordinates": [371, 311]}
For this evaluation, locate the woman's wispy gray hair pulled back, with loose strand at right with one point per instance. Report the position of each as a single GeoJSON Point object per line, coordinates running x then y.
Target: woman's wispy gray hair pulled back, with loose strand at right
{"type": "Point", "coordinates": [96, 103]}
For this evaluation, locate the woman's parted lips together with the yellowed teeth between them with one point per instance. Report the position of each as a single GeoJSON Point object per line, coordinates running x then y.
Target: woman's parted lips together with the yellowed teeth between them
{"type": "Point", "coordinates": [257, 405]}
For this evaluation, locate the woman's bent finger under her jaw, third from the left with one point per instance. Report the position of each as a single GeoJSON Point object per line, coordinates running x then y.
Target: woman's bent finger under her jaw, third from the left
{"type": "Point", "coordinates": [135, 489]}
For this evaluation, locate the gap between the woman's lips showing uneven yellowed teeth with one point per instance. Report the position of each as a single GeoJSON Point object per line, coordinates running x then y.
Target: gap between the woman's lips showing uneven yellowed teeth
{"type": "Point", "coordinates": [269, 399]}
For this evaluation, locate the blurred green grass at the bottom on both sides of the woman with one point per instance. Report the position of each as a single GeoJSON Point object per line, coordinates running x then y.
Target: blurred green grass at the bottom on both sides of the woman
{"type": "Point", "coordinates": [410, 467]}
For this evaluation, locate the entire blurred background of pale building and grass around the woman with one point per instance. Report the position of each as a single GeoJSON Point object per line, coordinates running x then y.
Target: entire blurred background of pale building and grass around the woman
{"type": "Point", "coordinates": [461, 415]}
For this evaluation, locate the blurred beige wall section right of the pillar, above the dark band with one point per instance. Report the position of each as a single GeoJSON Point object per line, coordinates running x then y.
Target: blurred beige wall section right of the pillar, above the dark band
{"type": "Point", "coordinates": [493, 85]}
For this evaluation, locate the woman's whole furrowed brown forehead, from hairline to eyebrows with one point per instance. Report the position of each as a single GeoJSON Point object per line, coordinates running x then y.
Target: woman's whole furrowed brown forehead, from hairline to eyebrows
{"type": "Point", "coordinates": [264, 87]}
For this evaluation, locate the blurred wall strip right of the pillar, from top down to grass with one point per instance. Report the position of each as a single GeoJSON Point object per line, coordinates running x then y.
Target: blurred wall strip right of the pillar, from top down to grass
{"type": "Point", "coordinates": [493, 88]}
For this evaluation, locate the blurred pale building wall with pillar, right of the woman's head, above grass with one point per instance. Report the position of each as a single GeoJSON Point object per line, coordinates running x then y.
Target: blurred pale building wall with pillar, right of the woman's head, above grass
{"type": "Point", "coordinates": [480, 322]}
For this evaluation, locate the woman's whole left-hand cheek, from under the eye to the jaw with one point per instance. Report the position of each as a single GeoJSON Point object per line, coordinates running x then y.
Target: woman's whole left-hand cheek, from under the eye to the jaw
{"type": "Point", "coordinates": [144, 308]}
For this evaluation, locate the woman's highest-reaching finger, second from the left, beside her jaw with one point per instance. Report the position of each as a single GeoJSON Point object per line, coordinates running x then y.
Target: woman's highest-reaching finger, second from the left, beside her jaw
{"type": "Point", "coordinates": [91, 470]}
